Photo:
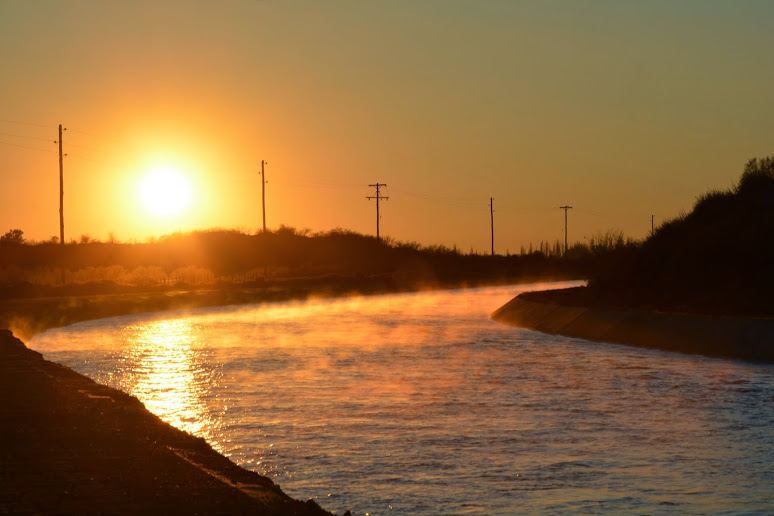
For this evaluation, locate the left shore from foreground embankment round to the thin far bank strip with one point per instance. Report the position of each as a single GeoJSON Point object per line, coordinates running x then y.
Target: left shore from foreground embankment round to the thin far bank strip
{"type": "Point", "coordinates": [75, 446]}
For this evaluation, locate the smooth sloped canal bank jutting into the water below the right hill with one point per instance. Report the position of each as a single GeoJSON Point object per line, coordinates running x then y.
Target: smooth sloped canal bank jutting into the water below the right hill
{"type": "Point", "coordinates": [742, 338]}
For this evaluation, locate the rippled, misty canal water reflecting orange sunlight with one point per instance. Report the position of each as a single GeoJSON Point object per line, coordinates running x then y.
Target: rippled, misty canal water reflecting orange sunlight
{"type": "Point", "coordinates": [418, 403]}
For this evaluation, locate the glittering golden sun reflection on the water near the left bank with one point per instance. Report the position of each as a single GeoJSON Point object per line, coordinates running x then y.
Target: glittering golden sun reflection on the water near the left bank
{"type": "Point", "coordinates": [165, 362]}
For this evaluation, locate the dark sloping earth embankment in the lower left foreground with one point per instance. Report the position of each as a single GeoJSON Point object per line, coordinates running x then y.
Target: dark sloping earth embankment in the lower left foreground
{"type": "Point", "coordinates": [72, 446]}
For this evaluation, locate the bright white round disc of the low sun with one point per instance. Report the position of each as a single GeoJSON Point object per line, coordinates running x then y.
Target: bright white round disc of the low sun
{"type": "Point", "coordinates": [165, 192]}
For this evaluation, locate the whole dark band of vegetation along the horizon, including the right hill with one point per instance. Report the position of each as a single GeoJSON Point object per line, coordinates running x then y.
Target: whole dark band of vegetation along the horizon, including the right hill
{"type": "Point", "coordinates": [717, 259]}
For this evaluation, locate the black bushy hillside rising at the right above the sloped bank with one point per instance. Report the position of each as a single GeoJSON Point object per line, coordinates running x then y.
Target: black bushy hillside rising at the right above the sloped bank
{"type": "Point", "coordinates": [717, 259]}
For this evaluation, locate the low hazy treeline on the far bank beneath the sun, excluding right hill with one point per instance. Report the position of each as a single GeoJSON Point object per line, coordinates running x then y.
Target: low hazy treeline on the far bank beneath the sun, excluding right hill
{"type": "Point", "coordinates": [218, 258]}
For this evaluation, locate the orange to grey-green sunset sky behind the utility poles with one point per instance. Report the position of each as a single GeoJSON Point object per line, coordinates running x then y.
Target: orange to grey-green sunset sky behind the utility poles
{"type": "Point", "coordinates": [621, 109]}
